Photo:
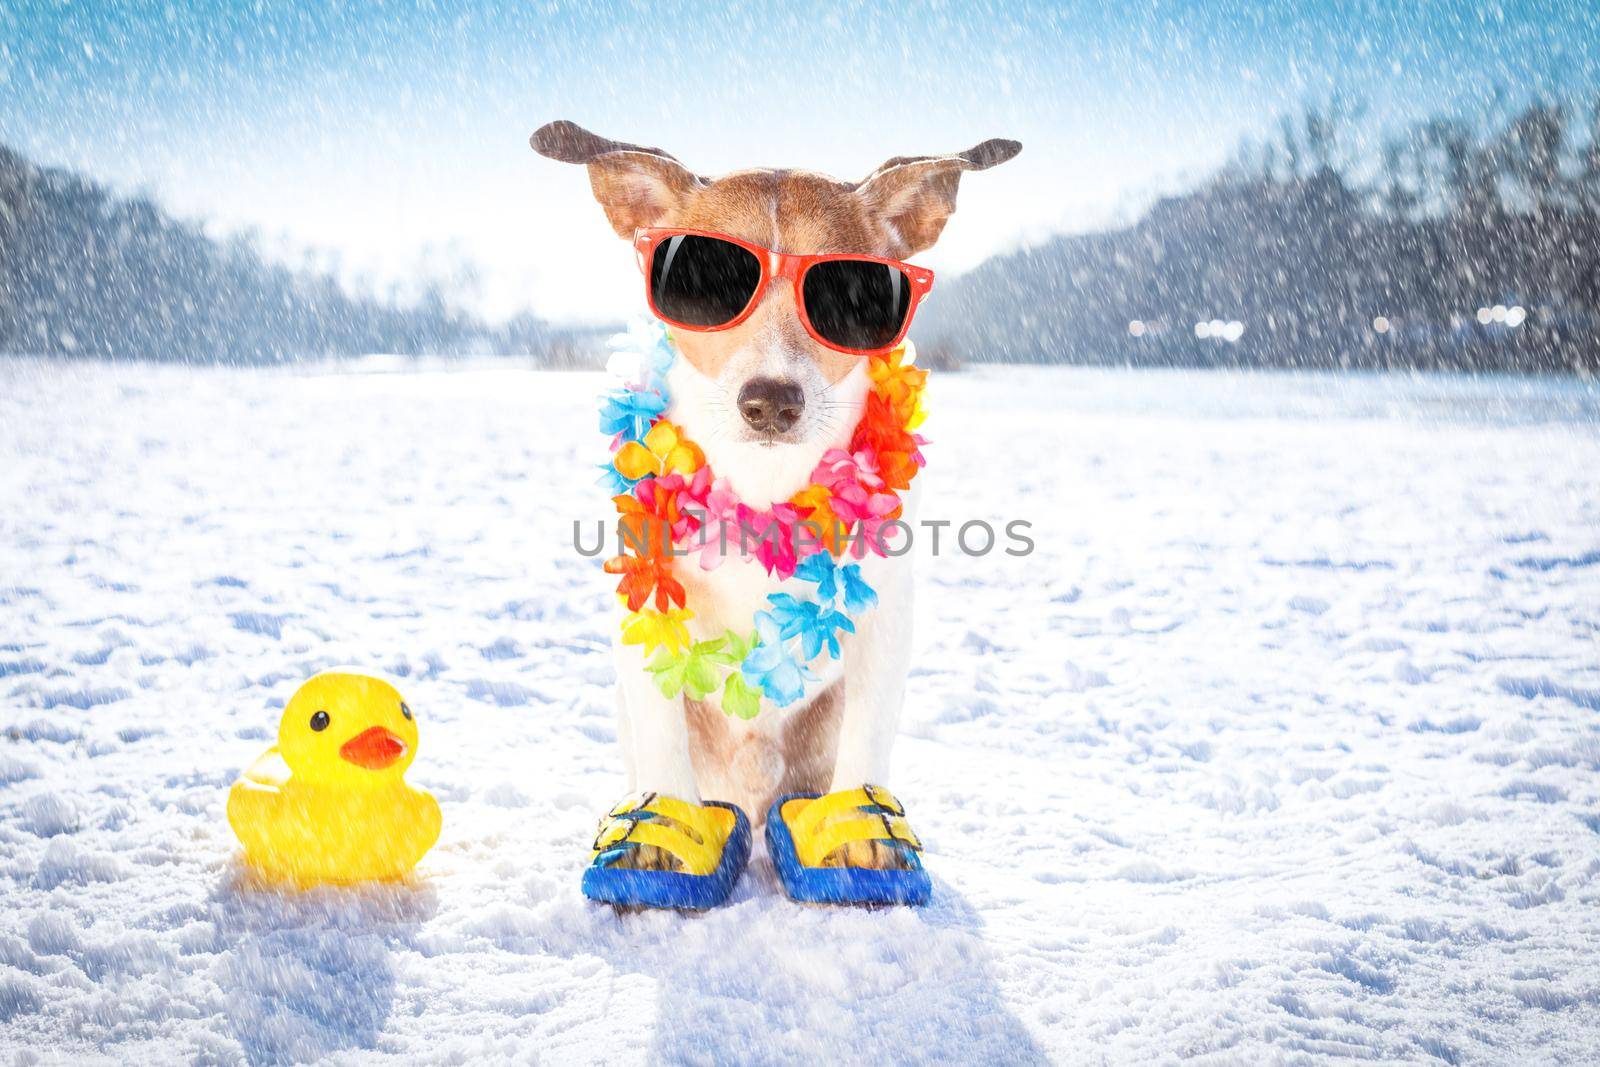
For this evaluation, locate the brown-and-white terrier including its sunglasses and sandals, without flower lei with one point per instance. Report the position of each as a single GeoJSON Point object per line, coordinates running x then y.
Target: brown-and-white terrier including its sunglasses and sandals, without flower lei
{"type": "Point", "coordinates": [777, 287]}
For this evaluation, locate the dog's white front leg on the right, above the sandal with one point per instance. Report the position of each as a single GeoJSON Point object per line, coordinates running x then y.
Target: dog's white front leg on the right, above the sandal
{"type": "Point", "coordinates": [876, 665]}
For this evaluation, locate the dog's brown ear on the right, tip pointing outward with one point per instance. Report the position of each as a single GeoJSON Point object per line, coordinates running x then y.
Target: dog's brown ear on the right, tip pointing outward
{"type": "Point", "coordinates": [916, 194]}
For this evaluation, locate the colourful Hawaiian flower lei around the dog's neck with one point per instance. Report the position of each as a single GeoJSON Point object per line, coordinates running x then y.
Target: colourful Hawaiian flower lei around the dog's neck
{"type": "Point", "coordinates": [668, 500]}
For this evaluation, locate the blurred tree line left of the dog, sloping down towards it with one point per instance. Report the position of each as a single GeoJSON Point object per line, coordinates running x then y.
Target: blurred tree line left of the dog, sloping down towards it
{"type": "Point", "coordinates": [90, 274]}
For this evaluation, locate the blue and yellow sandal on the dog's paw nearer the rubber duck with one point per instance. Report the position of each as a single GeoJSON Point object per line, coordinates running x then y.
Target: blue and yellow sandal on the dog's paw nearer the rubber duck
{"type": "Point", "coordinates": [710, 844]}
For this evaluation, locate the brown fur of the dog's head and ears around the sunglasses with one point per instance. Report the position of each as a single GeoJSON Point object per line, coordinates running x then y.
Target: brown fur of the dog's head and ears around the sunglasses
{"type": "Point", "coordinates": [894, 214]}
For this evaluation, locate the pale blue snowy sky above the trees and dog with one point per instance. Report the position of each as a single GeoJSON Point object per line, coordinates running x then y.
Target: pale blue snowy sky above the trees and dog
{"type": "Point", "coordinates": [380, 132]}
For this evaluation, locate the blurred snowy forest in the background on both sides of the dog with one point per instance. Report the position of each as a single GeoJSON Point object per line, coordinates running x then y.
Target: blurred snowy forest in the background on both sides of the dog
{"type": "Point", "coordinates": [1450, 244]}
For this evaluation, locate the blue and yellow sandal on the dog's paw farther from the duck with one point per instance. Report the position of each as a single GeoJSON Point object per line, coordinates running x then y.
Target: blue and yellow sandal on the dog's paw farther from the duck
{"type": "Point", "coordinates": [806, 829]}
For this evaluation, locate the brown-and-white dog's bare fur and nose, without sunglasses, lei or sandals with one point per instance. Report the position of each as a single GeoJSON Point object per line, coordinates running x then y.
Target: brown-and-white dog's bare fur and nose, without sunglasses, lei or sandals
{"type": "Point", "coordinates": [766, 401]}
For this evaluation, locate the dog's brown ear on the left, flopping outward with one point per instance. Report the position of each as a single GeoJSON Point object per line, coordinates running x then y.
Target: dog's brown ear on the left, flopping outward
{"type": "Point", "coordinates": [636, 186]}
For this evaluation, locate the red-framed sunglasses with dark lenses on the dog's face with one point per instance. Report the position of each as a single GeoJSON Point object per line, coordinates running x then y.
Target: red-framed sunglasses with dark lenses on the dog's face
{"type": "Point", "coordinates": [703, 282]}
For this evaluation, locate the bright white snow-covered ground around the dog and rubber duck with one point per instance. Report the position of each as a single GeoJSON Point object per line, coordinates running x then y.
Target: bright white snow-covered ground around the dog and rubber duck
{"type": "Point", "coordinates": [1282, 745]}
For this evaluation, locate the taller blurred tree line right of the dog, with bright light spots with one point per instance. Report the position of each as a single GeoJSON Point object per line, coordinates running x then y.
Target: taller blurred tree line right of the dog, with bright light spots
{"type": "Point", "coordinates": [1319, 247]}
